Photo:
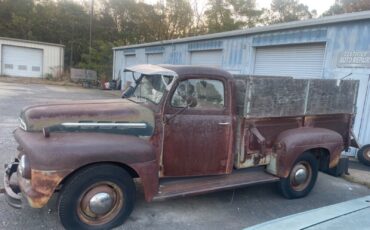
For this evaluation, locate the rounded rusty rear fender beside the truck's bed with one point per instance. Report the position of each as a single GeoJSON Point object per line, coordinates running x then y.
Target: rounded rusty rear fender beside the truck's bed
{"type": "Point", "coordinates": [291, 143]}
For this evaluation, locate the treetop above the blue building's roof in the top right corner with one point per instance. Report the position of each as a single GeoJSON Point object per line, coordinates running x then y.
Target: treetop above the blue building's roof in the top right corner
{"type": "Point", "coordinates": [347, 6]}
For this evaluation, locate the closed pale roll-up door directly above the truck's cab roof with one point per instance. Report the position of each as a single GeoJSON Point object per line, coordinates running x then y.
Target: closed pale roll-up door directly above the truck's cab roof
{"type": "Point", "coordinates": [212, 58]}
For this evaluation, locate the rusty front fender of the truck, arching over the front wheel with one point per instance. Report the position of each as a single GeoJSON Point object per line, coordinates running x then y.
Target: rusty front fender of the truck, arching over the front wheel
{"type": "Point", "coordinates": [58, 156]}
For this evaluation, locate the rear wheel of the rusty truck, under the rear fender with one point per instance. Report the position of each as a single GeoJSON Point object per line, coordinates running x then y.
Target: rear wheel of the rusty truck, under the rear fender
{"type": "Point", "coordinates": [302, 177]}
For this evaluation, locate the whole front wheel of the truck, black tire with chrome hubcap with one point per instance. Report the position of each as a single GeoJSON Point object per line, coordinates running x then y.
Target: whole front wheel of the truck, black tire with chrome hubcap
{"type": "Point", "coordinates": [96, 197]}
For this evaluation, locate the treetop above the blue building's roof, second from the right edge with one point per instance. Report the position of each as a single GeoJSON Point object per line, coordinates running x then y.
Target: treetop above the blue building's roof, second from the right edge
{"type": "Point", "coordinates": [287, 11]}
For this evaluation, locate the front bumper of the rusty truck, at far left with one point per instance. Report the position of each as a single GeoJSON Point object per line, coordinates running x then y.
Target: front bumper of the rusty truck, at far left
{"type": "Point", "coordinates": [12, 190]}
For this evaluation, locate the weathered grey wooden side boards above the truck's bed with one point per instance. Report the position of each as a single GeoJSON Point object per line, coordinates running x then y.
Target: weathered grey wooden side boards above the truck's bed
{"type": "Point", "coordinates": [282, 96]}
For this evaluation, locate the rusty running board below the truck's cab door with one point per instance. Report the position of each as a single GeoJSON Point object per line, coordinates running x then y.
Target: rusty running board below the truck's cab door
{"type": "Point", "coordinates": [180, 187]}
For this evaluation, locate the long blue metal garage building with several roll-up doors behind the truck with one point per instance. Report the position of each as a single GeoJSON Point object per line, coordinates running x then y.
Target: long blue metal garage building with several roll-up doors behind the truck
{"type": "Point", "coordinates": [335, 47]}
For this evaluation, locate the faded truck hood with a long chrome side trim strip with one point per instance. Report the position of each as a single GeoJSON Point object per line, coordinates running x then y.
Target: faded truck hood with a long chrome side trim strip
{"type": "Point", "coordinates": [114, 116]}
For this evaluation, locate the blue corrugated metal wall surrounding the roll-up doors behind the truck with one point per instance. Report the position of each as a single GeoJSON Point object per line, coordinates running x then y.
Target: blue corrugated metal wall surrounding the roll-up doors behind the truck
{"type": "Point", "coordinates": [239, 56]}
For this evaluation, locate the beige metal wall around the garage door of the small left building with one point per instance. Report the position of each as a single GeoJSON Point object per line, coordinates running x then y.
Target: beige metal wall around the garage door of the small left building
{"type": "Point", "coordinates": [53, 56]}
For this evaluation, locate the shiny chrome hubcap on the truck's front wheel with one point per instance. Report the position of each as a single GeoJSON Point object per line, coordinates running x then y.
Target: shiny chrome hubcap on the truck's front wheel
{"type": "Point", "coordinates": [101, 203]}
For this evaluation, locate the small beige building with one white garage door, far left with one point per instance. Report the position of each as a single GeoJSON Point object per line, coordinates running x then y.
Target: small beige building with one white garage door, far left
{"type": "Point", "coordinates": [23, 58]}
